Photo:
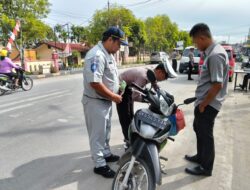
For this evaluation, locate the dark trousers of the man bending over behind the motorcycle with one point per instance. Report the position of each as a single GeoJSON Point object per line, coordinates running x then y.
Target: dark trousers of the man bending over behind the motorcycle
{"type": "Point", "coordinates": [125, 111]}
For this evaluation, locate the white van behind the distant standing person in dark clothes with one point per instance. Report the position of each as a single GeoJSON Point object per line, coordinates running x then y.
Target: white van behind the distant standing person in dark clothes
{"type": "Point", "coordinates": [185, 59]}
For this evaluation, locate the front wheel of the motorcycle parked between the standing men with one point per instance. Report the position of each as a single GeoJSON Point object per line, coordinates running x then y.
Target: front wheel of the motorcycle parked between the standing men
{"type": "Point", "coordinates": [140, 178]}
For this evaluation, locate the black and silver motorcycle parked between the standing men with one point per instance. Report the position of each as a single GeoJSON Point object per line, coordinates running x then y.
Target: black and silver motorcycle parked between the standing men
{"type": "Point", "coordinates": [139, 166]}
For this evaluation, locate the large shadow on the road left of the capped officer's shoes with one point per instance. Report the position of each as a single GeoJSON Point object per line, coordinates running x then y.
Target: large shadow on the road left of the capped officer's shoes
{"type": "Point", "coordinates": [69, 171]}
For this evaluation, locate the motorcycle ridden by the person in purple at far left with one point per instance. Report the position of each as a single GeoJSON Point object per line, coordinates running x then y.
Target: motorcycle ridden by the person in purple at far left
{"type": "Point", "coordinates": [7, 84]}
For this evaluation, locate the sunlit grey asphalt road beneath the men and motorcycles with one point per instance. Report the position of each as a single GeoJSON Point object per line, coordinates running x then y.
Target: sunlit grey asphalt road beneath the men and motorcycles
{"type": "Point", "coordinates": [44, 142]}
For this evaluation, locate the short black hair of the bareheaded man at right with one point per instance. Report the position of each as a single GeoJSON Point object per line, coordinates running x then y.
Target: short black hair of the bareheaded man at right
{"type": "Point", "coordinates": [200, 29]}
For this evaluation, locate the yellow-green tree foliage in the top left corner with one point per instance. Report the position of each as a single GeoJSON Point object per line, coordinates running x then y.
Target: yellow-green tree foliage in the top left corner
{"type": "Point", "coordinates": [30, 13]}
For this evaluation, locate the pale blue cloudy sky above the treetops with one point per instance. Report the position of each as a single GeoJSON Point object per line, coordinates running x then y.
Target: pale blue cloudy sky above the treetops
{"type": "Point", "coordinates": [229, 20]}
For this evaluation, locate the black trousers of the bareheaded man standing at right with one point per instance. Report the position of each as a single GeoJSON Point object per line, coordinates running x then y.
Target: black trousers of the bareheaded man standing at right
{"type": "Point", "coordinates": [203, 127]}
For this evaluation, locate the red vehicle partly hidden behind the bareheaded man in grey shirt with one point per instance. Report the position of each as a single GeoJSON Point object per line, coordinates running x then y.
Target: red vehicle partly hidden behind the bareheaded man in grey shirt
{"type": "Point", "coordinates": [231, 57]}
